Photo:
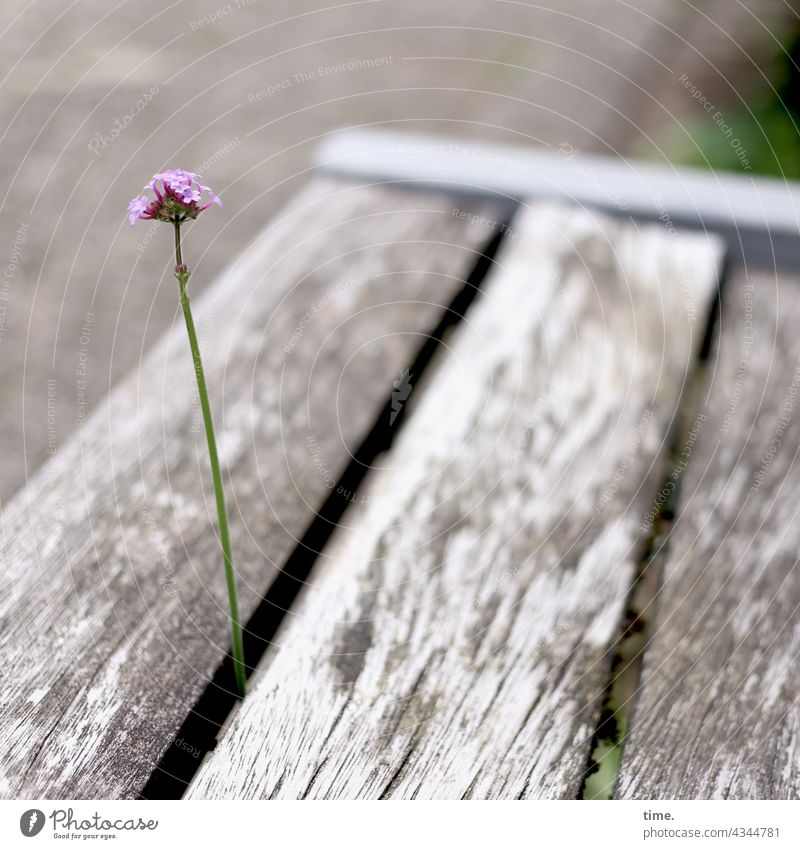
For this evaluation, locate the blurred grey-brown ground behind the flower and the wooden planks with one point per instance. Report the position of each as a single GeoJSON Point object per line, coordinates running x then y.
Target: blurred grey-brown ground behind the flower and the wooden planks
{"type": "Point", "coordinates": [98, 96]}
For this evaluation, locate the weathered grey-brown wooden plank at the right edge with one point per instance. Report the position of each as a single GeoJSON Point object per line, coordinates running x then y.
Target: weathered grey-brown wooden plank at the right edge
{"type": "Point", "coordinates": [718, 714]}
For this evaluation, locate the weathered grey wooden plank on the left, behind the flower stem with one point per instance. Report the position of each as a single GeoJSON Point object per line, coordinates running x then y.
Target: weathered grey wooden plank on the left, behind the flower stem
{"type": "Point", "coordinates": [113, 612]}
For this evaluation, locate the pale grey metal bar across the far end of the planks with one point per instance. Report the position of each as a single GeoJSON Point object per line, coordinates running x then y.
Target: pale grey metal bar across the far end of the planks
{"type": "Point", "coordinates": [711, 198]}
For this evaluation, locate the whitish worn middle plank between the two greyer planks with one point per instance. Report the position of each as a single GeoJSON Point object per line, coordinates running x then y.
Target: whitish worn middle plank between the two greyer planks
{"type": "Point", "coordinates": [454, 644]}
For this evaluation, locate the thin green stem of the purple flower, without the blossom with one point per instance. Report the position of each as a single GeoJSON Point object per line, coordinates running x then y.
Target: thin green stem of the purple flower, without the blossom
{"type": "Point", "coordinates": [182, 276]}
